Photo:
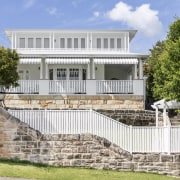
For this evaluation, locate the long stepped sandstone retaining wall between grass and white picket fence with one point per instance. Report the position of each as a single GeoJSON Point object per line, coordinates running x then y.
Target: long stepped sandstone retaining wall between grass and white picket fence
{"type": "Point", "coordinates": [84, 150]}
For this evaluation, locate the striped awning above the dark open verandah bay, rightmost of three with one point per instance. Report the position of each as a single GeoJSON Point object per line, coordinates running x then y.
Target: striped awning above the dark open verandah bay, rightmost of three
{"type": "Point", "coordinates": [115, 60]}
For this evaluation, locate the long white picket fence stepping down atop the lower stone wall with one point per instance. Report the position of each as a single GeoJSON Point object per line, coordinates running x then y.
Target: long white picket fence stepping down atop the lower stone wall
{"type": "Point", "coordinates": [130, 138]}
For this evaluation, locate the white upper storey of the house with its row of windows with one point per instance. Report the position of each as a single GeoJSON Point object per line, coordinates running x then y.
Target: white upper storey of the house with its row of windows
{"type": "Point", "coordinates": [72, 39]}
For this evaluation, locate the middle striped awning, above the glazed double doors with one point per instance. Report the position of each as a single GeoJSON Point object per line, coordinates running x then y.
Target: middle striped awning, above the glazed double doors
{"type": "Point", "coordinates": [67, 60]}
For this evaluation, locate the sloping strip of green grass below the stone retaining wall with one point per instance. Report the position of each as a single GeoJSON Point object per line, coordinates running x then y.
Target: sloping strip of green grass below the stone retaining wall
{"type": "Point", "coordinates": [13, 169]}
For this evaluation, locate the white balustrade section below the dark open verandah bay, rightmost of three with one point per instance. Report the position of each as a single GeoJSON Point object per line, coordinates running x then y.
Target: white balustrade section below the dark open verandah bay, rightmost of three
{"type": "Point", "coordinates": [114, 86]}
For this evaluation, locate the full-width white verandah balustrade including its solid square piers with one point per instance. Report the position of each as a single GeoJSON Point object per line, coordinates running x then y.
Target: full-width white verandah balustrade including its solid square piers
{"type": "Point", "coordinates": [89, 87]}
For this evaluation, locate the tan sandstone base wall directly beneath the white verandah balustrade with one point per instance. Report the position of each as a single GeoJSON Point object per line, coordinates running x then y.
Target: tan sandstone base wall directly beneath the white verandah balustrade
{"type": "Point", "coordinates": [74, 101]}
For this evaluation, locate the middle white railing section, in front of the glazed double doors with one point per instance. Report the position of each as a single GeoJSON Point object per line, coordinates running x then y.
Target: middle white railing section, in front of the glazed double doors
{"type": "Point", "coordinates": [67, 86]}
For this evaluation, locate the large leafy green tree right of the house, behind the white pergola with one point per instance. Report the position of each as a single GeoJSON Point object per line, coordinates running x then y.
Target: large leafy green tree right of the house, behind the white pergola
{"type": "Point", "coordinates": [164, 66]}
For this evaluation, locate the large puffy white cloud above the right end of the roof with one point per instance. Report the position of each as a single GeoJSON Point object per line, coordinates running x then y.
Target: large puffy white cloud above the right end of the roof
{"type": "Point", "coordinates": [143, 18]}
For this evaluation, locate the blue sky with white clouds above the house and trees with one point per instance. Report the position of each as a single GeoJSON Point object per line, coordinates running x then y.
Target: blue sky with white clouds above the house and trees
{"type": "Point", "coordinates": [151, 18]}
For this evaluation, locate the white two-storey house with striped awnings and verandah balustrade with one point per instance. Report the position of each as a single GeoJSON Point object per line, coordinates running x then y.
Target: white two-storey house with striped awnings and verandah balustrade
{"type": "Point", "coordinates": [90, 62]}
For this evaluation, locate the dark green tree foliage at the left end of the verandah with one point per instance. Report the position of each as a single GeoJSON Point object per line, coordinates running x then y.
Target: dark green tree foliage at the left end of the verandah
{"type": "Point", "coordinates": [8, 67]}
